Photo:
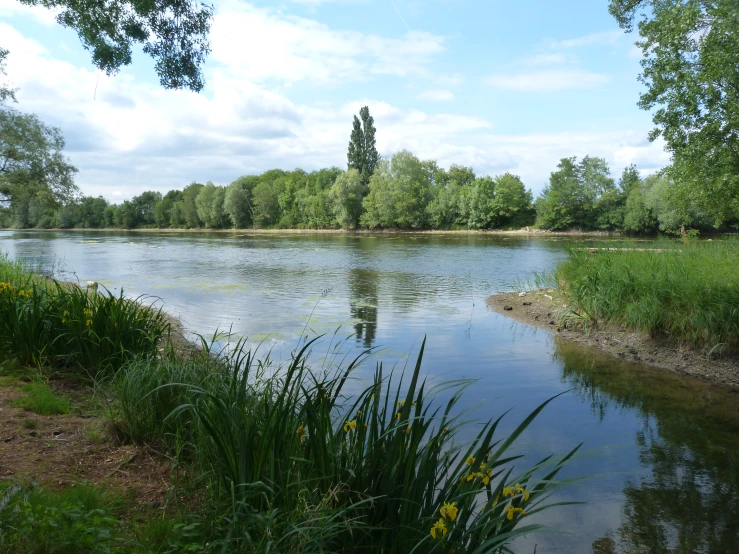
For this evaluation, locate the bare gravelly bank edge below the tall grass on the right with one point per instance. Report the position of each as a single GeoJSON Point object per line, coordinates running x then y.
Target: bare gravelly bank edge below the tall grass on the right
{"type": "Point", "coordinates": [544, 309]}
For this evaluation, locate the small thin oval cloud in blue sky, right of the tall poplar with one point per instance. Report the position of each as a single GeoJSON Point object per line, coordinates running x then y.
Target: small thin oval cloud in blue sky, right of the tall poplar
{"type": "Point", "coordinates": [552, 80]}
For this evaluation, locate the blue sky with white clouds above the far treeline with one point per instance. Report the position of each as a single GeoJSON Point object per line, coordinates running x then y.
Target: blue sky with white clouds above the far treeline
{"type": "Point", "coordinates": [490, 84]}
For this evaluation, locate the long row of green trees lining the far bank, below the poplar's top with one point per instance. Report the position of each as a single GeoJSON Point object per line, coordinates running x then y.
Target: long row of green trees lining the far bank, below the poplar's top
{"type": "Point", "coordinates": [403, 192]}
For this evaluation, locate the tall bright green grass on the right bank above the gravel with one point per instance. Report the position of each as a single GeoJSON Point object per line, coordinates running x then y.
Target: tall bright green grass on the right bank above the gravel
{"type": "Point", "coordinates": [687, 294]}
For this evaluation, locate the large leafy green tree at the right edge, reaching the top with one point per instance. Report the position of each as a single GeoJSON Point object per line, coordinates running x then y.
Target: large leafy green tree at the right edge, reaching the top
{"type": "Point", "coordinates": [691, 72]}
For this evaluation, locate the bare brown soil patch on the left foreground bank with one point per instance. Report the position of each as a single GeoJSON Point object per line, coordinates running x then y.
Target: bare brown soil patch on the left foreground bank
{"type": "Point", "coordinates": [60, 450]}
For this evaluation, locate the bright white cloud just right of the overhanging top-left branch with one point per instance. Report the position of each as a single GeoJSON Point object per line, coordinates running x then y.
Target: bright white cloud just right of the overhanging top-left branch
{"type": "Point", "coordinates": [264, 44]}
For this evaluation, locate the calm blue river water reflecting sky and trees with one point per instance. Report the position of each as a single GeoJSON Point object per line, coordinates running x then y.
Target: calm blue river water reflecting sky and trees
{"type": "Point", "coordinates": [661, 452]}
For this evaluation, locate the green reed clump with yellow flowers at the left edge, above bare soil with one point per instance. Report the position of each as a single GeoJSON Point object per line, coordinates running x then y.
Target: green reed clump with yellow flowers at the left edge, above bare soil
{"type": "Point", "coordinates": [45, 322]}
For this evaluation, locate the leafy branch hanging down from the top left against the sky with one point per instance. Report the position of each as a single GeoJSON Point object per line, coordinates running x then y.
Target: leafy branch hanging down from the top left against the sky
{"type": "Point", "coordinates": [173, 32]}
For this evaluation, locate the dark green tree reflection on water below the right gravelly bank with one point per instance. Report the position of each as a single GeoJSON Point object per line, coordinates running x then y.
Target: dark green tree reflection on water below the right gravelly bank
{"type": "Point", "coordinates": [687, 499]}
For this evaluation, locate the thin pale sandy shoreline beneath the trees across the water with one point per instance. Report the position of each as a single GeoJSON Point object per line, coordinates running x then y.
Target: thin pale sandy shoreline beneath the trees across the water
{"type": "Point", "coordinates": [512, 232]}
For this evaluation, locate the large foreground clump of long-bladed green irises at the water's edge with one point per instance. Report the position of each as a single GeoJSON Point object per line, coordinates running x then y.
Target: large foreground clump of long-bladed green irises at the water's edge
{"type": "Point", "coordinates": [303, 468]}
